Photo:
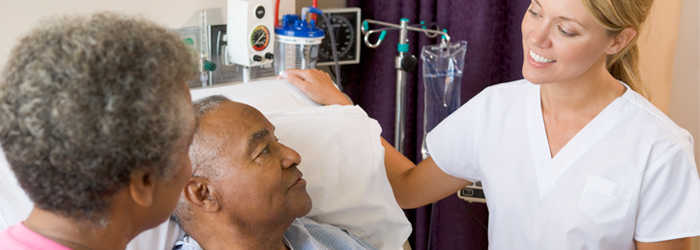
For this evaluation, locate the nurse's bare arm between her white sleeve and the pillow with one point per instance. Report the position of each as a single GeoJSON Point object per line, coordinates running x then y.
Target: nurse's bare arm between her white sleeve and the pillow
{"type": "Point", "coordinates": [416, 186]}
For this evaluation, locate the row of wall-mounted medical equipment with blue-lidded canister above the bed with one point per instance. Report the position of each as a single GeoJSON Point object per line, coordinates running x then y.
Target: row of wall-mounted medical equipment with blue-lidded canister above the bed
{"type": "Point", "coordinates": [250, 43]}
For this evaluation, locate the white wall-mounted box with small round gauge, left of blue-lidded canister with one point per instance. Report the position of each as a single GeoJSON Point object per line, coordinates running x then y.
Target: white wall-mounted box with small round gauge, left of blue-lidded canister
{"type": "Point", "coordinates": [252, 21]}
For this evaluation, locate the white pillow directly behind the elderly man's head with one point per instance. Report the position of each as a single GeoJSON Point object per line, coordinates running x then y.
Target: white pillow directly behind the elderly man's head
{"type": "Point", "coordinates": [343, 163]}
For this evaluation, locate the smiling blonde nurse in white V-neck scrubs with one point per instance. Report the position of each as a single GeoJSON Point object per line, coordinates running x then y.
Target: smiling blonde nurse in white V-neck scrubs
{"type": "Point", "coordinates": [572, 156]}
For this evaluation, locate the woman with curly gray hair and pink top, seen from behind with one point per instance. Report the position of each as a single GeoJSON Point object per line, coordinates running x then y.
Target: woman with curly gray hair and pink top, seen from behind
{"type": "Point", "coordinates": [96, 122]}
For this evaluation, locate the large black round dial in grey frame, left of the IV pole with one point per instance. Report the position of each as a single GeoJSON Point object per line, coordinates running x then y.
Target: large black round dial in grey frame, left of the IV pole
{"type": "Point", "coordinates": [344, 34]}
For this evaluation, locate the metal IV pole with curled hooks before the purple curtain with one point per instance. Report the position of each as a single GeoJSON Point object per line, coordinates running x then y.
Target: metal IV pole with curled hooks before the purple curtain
{"type": "Point", "coordinates": [403, 63]}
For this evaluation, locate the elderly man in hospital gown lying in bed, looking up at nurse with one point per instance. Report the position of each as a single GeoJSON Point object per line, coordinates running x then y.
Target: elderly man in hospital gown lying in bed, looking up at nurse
{"type": "Point", "coordinates": [246, 191]}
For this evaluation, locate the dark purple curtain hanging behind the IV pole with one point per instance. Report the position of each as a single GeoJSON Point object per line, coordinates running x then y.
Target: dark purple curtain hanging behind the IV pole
{"type": "Point", "coordinates": [494, 55]}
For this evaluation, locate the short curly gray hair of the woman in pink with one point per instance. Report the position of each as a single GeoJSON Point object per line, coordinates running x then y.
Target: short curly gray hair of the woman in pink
{"type": "Point", "coordinates": [87, 100]}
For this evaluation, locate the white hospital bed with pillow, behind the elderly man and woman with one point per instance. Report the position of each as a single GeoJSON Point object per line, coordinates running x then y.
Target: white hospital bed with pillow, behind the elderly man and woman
{"type": "Point", "coordinates": [342, 161]}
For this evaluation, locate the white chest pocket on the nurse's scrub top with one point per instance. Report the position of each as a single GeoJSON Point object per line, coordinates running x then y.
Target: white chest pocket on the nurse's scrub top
{"type": "Point", "coordinates": [604, 200]}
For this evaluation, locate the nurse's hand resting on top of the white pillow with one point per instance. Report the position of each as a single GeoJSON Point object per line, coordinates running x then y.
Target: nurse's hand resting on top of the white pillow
{"type": "Point", "coordinates": [317, 85]}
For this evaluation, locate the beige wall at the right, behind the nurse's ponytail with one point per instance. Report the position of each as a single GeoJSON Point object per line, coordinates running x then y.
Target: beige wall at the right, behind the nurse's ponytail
{"type": "Point", "coordinates": [678, 93]}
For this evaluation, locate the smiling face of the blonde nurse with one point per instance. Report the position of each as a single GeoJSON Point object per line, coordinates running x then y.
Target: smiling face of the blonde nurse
{"type": "Point", "coordinates": [562, 42]}
